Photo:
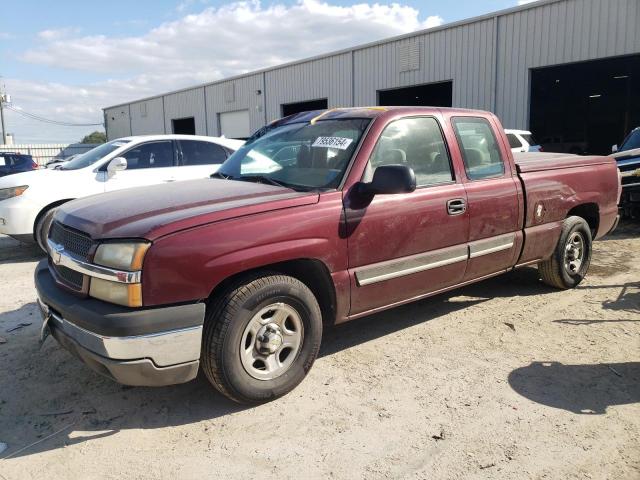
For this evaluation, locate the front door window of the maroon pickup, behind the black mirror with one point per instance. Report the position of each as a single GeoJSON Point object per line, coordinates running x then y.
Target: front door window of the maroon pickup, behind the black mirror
{"type": "Point", "coordinates": [415, 142]}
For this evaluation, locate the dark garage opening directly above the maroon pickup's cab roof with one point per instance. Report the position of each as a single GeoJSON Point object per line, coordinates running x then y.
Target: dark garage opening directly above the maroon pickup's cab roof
{"type": "Point", "coordinates": [429, 95]}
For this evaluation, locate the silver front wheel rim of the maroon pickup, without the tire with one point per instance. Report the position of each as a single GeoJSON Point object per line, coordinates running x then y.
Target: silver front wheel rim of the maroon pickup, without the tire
{"type": "Point", "coordinates": [271, 341]}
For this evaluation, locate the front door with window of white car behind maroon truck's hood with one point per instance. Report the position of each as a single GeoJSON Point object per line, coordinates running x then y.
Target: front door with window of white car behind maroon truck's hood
{"type": "Point", "coordinates": [148, 163]}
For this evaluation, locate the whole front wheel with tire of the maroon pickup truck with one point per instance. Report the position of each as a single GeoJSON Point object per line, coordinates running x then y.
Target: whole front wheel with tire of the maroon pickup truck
{"type": "Point", "coordinates": [261, 337]}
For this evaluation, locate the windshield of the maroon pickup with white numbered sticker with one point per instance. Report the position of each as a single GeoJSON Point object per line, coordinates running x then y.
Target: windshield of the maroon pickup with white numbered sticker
{"type": "Point", "coordinates": [302, 156]}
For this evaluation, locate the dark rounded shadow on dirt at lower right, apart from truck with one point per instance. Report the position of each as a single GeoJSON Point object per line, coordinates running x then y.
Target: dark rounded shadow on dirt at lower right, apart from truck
{"type": "Point", "coordinates": [580, 389]}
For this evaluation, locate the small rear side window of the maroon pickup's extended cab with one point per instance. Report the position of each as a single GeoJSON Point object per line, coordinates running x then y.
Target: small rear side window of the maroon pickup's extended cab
{"type": "Point", "coordinates": [480, 151]}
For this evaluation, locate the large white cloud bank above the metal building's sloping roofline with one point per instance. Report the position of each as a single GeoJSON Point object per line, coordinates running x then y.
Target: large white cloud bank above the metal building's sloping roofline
{"type": "Point", "coordinates": [215, 43]}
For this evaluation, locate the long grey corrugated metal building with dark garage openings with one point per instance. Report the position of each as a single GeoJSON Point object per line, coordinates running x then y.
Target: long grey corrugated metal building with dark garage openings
{"type": "Point", "coordinates": [567, 69]}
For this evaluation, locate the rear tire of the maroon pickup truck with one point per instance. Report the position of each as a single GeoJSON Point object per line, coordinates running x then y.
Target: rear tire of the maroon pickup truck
{"type": "Point", "coordinates": [555, 271]}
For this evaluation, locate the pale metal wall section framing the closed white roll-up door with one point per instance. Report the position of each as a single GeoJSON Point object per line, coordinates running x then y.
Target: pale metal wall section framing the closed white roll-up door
{"type": "Point", "coordinates": [233, 95]}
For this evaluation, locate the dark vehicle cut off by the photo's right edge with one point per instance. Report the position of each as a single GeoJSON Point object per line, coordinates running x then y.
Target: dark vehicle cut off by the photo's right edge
{"type": "Point", "coordinates": [627, 157]}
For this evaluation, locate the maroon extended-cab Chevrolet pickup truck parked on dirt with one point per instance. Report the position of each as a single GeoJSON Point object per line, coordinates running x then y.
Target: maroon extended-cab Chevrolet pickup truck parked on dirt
{"type": "Point", "coordinates": [322, 217]}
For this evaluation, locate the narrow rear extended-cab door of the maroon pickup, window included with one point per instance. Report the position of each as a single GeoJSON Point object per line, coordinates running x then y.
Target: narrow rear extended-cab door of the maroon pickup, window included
{"type": "Point", "coordinates": [493, 197]}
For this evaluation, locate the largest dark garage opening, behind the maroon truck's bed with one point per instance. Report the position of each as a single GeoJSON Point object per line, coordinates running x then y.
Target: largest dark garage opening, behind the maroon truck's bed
{"type": "Point", "coordinates": [585, 107]}
